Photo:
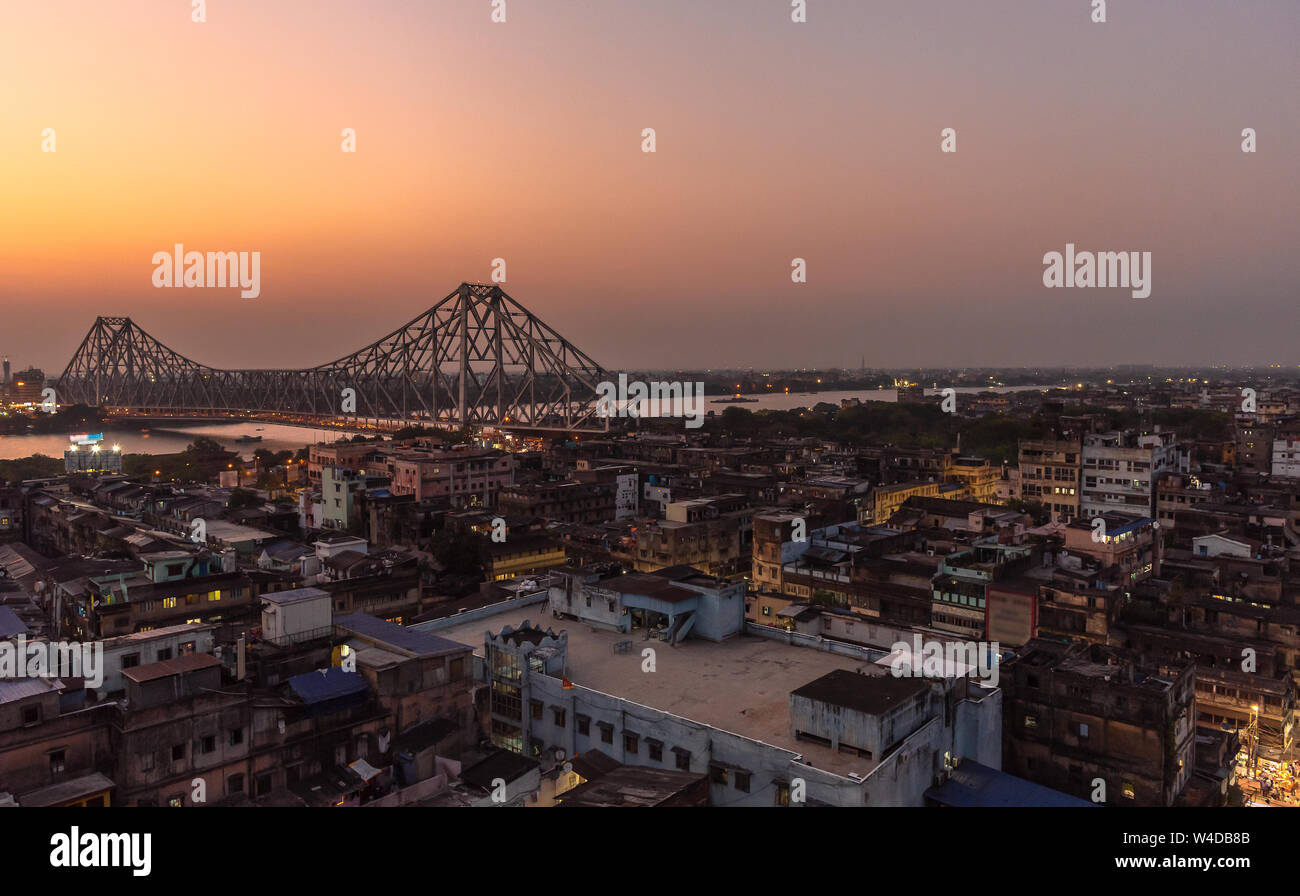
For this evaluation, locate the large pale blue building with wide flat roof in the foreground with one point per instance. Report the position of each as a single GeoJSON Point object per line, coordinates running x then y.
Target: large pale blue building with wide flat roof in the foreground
{"type": "Point", "coordinates": [736, 733]}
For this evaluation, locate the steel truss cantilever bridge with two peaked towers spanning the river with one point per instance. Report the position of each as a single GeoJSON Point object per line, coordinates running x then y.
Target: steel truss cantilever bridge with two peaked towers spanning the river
{"type": "Point", "coordinates": [478, 358]}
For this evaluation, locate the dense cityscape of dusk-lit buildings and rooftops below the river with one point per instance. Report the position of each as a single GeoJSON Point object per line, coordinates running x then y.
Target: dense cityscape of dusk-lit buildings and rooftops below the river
{"type": "Point", "coordinates": [1050, 596]}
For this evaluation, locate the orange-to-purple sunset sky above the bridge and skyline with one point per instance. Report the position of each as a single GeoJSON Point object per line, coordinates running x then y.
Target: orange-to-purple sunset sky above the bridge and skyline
{"type": "Point", "coordinates": [523, 141]}
